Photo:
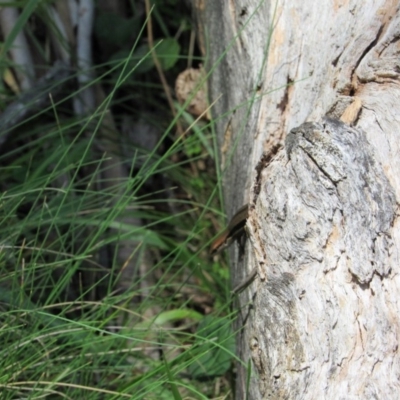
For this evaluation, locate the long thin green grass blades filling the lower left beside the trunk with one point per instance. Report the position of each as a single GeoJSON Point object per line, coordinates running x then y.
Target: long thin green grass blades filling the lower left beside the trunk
{"type": "Point", "coordinates": [71, 328]}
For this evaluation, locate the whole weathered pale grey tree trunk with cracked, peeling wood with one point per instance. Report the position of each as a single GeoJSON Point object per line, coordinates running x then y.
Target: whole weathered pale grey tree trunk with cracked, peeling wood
{"type": "Point", "coordinates": [321, 321]}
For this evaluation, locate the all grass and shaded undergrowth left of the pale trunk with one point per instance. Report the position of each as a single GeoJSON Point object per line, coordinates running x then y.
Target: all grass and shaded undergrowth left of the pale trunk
{"type": "Point", "coordinates": [109, 202]}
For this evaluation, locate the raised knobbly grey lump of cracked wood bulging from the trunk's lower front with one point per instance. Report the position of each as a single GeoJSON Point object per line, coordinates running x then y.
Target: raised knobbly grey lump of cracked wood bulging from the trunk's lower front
{"type": "Point", "coordinates": [321, 236]}
